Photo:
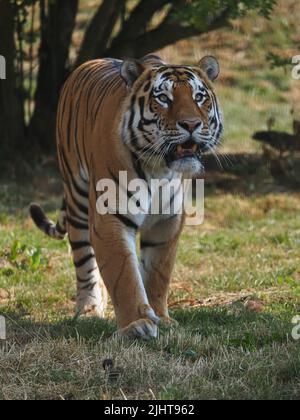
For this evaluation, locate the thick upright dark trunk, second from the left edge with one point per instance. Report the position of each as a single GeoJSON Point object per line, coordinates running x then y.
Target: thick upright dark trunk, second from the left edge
{"type": "Point", "coordinates": [58, 22]}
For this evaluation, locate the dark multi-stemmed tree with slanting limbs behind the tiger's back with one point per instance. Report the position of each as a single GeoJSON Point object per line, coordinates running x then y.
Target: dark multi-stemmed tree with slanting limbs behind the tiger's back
{"type": "Point", "coordinates": [133, 40]}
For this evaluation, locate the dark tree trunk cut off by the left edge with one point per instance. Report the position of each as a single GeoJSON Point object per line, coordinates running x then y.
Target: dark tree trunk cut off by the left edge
{"type": "Point", "coordinates": [11, 106]}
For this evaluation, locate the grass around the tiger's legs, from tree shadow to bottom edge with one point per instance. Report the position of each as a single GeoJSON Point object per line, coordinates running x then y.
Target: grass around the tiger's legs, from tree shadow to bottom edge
{"type": "Point", "coordinates": [234, 294]}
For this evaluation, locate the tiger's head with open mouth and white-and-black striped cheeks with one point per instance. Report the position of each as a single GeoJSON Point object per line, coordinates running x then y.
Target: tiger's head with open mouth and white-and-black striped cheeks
{"type": "Point", "coordinates": [172, 116]}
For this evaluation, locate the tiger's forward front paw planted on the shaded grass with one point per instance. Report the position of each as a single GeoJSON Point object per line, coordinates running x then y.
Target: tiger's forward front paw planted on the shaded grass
{"type": "Point", "coordinates": [144, 329]}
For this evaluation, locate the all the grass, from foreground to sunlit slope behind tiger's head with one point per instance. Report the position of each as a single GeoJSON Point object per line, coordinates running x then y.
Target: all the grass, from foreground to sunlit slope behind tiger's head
{"type": "Point", "coordinates": [236, 285]}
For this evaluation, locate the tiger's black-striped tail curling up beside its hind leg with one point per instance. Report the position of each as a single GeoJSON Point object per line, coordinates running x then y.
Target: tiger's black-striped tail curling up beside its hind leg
{"type": "Point", "coordinates": [56, 231]}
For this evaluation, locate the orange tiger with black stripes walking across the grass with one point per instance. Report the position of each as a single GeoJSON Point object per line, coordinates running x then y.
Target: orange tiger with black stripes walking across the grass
{"type": "Point", "coordinates": [151, 120]}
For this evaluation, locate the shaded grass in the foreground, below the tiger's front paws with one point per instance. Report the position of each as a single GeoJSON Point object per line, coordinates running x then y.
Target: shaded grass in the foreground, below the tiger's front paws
{"type": "Point", "coordinates": [217, 353]}
